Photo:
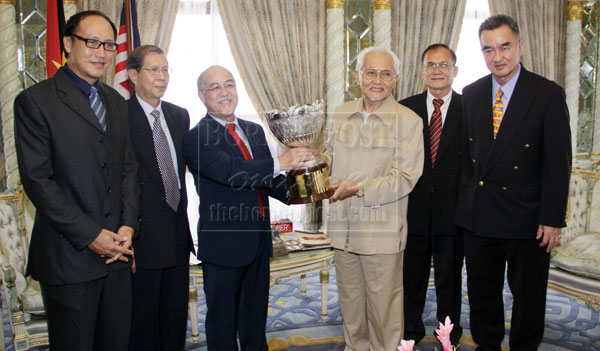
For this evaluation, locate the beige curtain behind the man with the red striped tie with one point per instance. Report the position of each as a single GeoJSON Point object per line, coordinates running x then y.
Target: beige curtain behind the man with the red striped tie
{"type": "Point", "coordinates": [416, 24]}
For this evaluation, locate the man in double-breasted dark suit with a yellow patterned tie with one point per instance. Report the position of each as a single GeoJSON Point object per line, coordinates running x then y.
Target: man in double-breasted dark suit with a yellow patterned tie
{"type": "Point", "coordinates": [514, 188]}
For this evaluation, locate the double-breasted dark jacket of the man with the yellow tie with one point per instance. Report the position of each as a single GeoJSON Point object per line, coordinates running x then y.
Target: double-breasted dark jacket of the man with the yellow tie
{"type": "Point", "coordinates": [520, 180]}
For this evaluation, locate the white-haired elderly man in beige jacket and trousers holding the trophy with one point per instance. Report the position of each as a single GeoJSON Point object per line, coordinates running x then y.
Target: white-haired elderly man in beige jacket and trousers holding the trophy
{"type": "Point", "coordinates": [375, 149]}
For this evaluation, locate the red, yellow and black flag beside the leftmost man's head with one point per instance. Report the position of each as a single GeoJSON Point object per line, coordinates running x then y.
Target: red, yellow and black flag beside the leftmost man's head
{"type": "Point", "coordinates": [55, 23]}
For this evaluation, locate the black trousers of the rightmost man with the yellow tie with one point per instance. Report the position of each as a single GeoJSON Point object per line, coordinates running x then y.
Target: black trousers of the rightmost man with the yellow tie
{"type": "Point", "coordinates": [526, 265]}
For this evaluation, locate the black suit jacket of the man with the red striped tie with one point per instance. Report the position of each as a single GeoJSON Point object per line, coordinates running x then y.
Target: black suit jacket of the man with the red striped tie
{"type": "Point", "coordinates": [432, 203]}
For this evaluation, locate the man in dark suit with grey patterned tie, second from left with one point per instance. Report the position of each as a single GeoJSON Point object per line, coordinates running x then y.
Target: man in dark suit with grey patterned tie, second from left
{"type": "Point", "coordinates": [162, 248]}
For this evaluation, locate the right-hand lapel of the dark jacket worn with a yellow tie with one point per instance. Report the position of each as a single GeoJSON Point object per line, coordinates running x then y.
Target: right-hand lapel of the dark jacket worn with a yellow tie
{"type": "Point", "coordinates": [512, 119]}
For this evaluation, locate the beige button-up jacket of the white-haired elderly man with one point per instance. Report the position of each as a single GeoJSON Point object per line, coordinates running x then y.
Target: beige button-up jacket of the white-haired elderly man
{"type": "Point", "coordinates": [386, 155]}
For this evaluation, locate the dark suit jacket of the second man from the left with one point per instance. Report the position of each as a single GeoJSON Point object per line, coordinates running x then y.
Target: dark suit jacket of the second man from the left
{"type": "Point", "coordinates": [160, 228]}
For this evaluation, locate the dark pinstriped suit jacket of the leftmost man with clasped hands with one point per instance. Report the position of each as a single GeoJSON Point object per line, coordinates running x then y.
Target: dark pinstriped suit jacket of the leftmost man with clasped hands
{"type": "Point", "coordinates": [80, 178]}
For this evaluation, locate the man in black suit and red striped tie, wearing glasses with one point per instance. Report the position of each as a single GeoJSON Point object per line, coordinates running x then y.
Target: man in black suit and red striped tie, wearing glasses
{"type": "Point", "coordinates": [432, 203]}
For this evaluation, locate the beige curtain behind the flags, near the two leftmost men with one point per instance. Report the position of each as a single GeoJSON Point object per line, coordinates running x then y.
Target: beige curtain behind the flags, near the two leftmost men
{"type": "Point", "coordinates": [155, 21]}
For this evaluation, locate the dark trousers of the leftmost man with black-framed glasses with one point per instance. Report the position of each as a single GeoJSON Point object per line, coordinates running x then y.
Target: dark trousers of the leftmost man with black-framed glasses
{"type": "Point", "coordinates": [94, 315]}
